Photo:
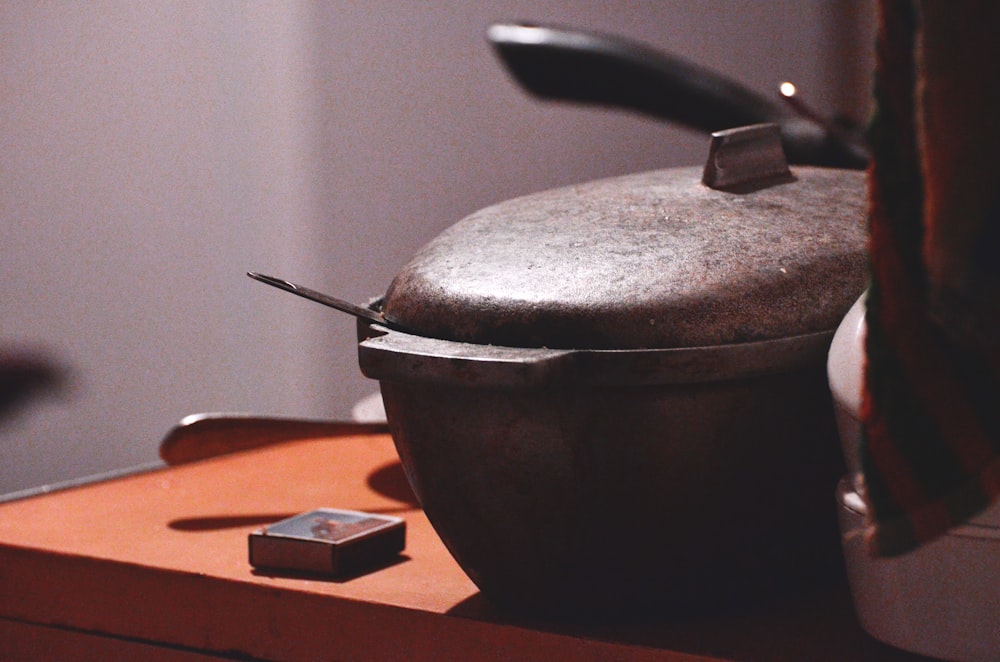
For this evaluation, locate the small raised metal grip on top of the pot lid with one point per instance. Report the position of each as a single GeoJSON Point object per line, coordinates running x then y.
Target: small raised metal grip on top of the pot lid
{"type": "Point", "coordinates": [746, 157]}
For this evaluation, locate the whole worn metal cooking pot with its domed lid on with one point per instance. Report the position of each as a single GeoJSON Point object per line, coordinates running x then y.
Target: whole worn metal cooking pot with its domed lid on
{"type": "Point", "coordinates": [614, 395]}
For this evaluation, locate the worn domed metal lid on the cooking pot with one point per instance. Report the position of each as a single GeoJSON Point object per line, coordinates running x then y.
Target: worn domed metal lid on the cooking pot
{"type": "Point", "coordinates": [651, 260]}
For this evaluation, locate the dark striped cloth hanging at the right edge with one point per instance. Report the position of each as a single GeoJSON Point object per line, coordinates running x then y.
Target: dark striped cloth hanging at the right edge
{"type": "Point", "coordinates": [930, 449]}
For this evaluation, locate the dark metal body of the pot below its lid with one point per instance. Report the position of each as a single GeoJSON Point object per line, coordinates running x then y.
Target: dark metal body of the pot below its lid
{"type": "Point", "coordinates": [600, 482]}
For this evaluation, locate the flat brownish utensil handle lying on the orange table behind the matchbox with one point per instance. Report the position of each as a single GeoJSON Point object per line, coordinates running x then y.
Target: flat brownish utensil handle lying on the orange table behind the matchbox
{"type": "Point", "coordinates": [201, 436]}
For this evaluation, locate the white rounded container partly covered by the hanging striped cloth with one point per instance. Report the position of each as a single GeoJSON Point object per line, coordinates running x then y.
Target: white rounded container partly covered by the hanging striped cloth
{"type": "Point", "coordinates": [942, 599]}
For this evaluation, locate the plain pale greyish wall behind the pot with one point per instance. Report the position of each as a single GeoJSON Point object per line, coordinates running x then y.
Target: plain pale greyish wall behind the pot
{"type": "Point", "coordinates": [151, 153]}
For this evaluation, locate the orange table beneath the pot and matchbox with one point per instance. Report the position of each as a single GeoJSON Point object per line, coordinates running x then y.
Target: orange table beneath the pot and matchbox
{"type": "Point", "coordinates": [154, 566]}
